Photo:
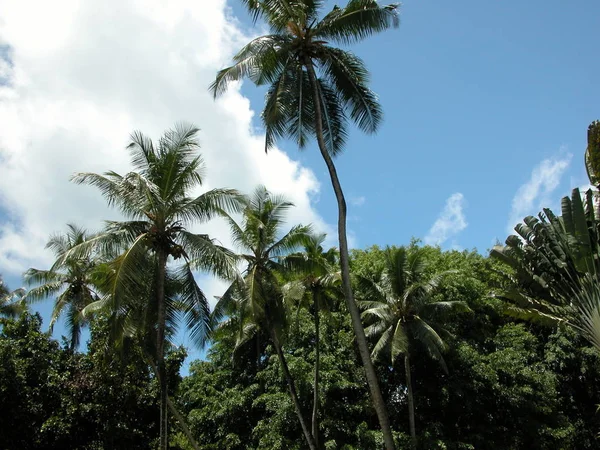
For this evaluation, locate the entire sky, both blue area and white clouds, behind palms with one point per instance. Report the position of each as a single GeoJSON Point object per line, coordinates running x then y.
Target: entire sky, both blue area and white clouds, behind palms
{"type": "Point", "coordinates": [486, 109]}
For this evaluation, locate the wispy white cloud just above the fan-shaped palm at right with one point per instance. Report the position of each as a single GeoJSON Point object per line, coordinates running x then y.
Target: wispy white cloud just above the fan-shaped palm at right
{"type": "Point", "coordinates": [535, 193]}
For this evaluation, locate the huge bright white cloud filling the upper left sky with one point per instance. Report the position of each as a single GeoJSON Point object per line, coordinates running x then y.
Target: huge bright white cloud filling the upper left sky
{"type": "Point", "coordinates": [86, 74]}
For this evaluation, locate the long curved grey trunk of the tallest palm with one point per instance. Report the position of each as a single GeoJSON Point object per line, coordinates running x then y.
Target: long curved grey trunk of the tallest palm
{"type": "Point", "coordinates": [359, 331]}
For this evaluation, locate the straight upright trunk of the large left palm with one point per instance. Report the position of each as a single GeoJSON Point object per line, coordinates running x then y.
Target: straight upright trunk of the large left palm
{"type": "Point", "coordinates": [160, 347]}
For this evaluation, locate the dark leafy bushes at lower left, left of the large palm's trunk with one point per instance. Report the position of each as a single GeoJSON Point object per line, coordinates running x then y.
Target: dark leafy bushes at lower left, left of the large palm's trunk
{"type": "Point", "coordinates": [54, 398]}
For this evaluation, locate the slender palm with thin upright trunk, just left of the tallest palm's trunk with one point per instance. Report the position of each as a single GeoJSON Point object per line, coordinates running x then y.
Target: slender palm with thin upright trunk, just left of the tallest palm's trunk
{"type": "Point", "coordinates": [318, 284]}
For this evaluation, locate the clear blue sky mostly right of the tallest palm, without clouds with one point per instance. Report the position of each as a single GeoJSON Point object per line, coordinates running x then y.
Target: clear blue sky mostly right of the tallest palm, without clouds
{"type": "Point", "coordinates": [476, 95]}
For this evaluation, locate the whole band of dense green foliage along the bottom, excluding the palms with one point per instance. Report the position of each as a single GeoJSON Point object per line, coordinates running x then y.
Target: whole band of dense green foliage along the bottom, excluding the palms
{"type": "Point", "coordinates": [509, 385]}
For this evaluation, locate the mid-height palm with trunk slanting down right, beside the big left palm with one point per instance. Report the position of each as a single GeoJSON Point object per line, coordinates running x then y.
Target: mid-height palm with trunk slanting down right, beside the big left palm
{"type": "Point", "coordinates": [258, 300]}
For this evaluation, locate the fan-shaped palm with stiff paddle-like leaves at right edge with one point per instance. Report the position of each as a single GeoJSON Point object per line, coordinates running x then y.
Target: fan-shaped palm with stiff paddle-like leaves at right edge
{"type": "Point", "coordinates": [555, 262]}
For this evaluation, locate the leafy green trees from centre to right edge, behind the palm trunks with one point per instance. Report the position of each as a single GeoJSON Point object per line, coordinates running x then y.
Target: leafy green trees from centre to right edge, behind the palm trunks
{"type": "Point", "coordinates": [510, 385]}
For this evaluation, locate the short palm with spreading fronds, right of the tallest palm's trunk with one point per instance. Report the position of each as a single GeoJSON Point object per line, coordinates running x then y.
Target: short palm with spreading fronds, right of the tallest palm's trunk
{"type": "Point", "coordinates": [397, 302]}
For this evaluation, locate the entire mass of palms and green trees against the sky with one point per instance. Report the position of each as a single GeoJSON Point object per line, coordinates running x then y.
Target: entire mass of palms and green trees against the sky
{"type": "Point", "coordinates": [483, 352]}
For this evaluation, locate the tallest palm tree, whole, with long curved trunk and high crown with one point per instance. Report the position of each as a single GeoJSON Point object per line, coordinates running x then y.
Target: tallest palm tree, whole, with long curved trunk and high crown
{"type": "Point", "coordinates": [311, 86]}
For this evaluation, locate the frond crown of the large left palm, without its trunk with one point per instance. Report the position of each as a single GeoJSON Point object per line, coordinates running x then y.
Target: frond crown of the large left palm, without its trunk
{"type": "Point", "coordinates": [155, 197]}
